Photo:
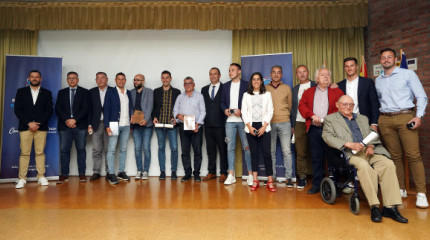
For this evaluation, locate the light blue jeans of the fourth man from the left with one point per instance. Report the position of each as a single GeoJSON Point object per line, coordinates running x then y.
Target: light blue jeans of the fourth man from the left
{"type": "Point", "coordinates": [124, 133]}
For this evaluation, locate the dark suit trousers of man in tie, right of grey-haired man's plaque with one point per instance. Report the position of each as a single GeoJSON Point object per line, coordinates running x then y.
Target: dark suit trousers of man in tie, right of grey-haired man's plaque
{"type": "Point", "coordinates": [215, 138]}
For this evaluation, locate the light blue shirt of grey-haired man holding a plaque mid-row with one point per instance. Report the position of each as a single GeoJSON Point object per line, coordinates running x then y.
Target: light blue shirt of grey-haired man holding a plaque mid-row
{"type": "Point", "coordinates": [194, 106]}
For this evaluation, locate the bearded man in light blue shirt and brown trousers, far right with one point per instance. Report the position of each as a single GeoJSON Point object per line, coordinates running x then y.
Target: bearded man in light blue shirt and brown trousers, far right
{"type": "Point", "coordinates": [399, 121]}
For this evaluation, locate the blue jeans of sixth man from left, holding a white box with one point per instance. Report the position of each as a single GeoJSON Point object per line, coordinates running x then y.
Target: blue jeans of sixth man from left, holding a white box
{"type": "Point", "coordinates": [171, 134]}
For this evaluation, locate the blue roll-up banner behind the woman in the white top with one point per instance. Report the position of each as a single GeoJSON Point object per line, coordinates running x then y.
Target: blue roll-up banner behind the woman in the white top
{"type": "Point", "coordinates": [264, 64]}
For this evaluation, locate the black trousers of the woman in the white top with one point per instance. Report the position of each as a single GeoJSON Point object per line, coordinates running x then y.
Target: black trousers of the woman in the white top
{"type": "Point", "coordinates": [257, 144]}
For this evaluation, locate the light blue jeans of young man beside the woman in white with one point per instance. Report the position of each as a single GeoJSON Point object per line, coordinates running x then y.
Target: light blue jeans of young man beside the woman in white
{"type": "Point", "coordinates": [231, 129]}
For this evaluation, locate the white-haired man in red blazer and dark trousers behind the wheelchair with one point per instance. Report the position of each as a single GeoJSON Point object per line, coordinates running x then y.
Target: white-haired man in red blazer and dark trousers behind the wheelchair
{"type": "Point", "coordinates": [316, 103]}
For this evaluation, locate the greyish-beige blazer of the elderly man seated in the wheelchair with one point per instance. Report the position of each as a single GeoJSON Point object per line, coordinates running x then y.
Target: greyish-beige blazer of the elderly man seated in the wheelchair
{"type": "Point", "coordinates": [336, 133]}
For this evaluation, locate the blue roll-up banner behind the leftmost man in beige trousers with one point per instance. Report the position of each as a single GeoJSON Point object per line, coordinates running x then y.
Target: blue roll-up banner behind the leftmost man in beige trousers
{"type": "Point", "coordinates": [17, 69]}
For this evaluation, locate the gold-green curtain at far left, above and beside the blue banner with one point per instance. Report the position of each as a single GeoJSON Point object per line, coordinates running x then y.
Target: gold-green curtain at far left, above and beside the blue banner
{"type": "Point", "coordinates": [20, 42]}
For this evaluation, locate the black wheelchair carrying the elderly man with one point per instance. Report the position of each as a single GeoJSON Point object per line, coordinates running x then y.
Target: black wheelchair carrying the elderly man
{"type": "Point", "coordinates": [340, 174]}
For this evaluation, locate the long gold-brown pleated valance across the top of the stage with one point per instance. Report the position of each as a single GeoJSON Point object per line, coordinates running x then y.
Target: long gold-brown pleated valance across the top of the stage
{"type": "Point", "coordinates": [183, 15]}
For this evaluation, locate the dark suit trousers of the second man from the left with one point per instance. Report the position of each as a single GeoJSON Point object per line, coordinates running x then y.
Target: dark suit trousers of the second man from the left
{"type": "Point", "coordinates": [66, 139]}
